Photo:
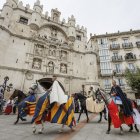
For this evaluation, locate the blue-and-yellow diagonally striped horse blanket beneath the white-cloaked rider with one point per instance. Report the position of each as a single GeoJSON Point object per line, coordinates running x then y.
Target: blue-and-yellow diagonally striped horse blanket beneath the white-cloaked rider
{"type": "Point", "coordinates": [56, 114]}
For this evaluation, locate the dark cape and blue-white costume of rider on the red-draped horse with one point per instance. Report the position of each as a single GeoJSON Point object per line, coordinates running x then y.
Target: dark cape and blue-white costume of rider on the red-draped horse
{"type": "Point", "coordinates": [120, 98]}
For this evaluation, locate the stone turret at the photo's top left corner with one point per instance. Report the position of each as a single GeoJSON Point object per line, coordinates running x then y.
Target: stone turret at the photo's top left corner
{"type": "Point", "coordinates": [7, 10]}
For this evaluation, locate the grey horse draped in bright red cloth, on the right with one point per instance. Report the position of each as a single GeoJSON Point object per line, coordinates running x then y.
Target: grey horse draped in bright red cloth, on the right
{"type": "Point", "coordinates": [111, 110]}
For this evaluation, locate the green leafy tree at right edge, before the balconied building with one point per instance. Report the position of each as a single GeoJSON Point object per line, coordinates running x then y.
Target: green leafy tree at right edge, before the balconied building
{"type": "Point", "coordinates": [133, 79]}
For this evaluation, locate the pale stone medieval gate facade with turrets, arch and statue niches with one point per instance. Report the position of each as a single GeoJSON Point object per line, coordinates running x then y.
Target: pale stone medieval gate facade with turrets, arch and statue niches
{"type": "Point", "coordinates": [34, 45]}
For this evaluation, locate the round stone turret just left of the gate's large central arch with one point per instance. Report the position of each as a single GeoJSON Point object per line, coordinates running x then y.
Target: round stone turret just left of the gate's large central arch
{"type": "Point", "coordinates": [36, 16]}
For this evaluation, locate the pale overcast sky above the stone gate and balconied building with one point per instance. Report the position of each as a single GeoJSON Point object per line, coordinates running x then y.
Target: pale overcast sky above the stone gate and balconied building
{"type": "Point", "coordinates": [99, 16]}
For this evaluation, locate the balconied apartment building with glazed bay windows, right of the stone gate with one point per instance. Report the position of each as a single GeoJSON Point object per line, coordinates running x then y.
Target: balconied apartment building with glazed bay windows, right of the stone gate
{"type": "Point", "coordinates": [116, 52]}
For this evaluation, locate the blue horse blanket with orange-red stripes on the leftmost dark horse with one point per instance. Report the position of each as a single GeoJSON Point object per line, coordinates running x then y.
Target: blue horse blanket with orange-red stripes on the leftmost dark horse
{"type": "Point", "coordinates": [23, 106]}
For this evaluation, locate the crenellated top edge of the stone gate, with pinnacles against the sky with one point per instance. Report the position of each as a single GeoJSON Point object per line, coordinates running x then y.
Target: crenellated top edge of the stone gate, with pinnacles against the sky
{"type": "Point", "coordinates": [38, 17]}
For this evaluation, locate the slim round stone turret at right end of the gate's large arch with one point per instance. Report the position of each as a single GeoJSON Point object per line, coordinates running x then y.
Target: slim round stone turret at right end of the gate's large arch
{"type": "Point", "coordinates": [71, 29]}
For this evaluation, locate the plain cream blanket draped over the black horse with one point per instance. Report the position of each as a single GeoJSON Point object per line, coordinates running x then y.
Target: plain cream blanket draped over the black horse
{"type": "Point", "coordinates": [93, 106]}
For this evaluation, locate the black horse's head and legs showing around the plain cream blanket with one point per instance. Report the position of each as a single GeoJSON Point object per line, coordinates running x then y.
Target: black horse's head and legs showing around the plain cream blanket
{"type": "Point", "coordinates": [82, 100]}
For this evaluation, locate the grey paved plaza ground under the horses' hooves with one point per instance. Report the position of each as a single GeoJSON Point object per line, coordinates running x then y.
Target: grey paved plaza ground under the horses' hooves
{"type": "Point", "coordinates": [83, 131]}
